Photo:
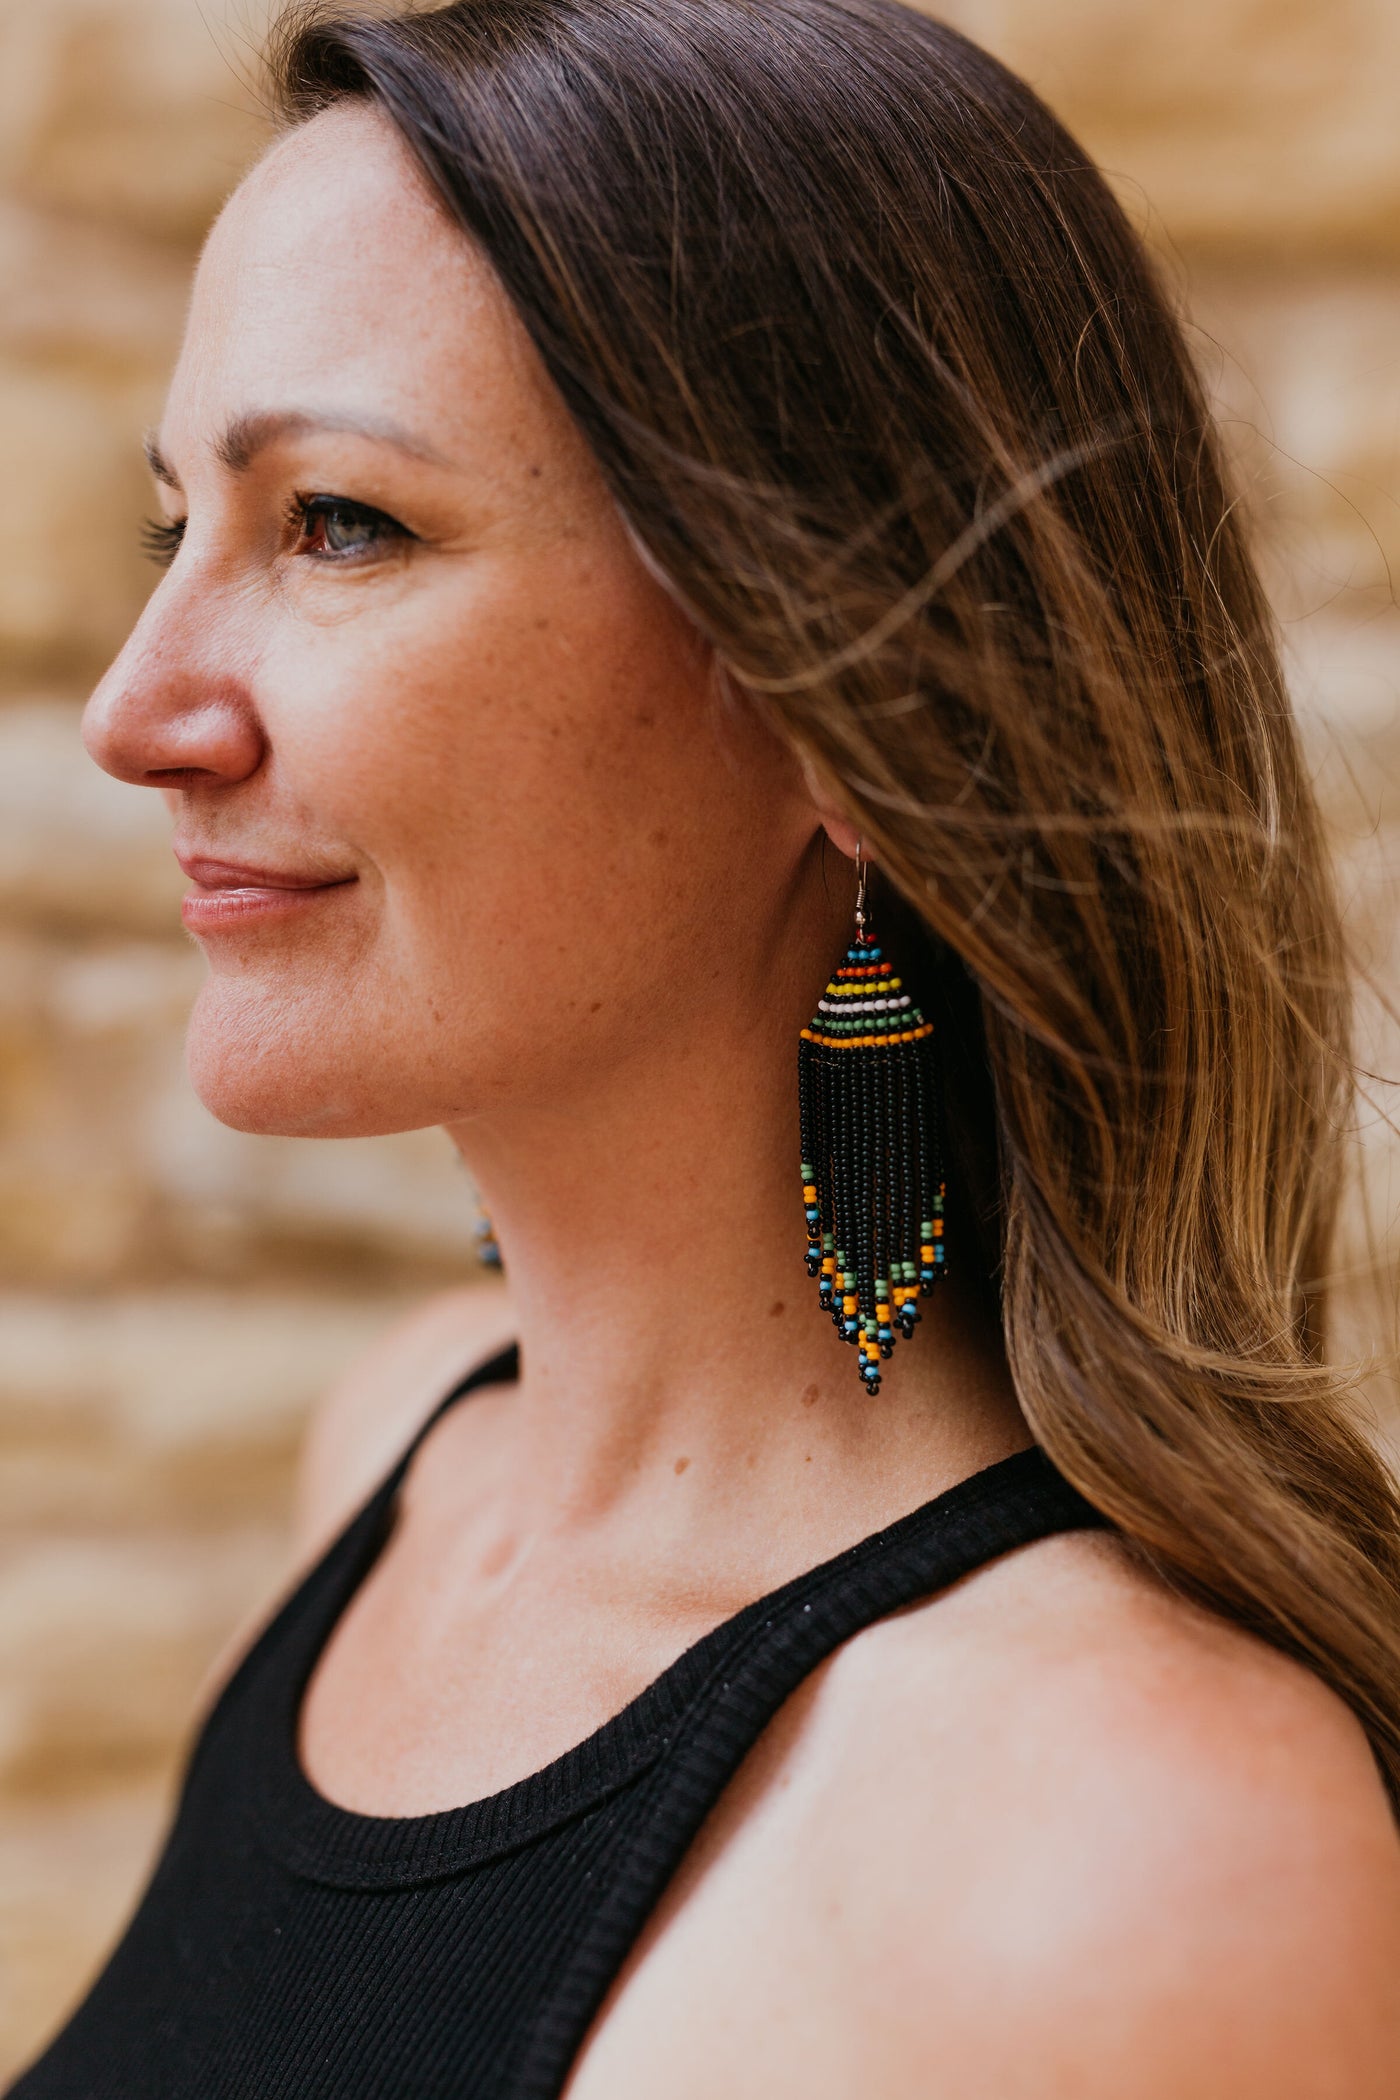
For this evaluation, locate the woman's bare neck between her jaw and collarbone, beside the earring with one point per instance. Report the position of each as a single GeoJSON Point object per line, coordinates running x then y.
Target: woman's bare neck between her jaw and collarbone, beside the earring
{"type": "Point", "coordinates": [654, 1240]}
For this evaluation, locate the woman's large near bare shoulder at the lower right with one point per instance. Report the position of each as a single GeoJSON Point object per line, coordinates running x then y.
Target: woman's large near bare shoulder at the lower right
{"type": "Point", "coordinates": [1170, 1855]}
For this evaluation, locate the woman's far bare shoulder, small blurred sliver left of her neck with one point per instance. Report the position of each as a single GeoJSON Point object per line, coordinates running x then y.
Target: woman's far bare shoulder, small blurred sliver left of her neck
{"type": "Point", "coordinates": [370, 1414]}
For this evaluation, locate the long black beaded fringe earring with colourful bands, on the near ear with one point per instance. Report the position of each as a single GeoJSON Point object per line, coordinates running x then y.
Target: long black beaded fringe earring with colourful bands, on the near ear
{"type": "Point", "coordinates": [872, 1150]}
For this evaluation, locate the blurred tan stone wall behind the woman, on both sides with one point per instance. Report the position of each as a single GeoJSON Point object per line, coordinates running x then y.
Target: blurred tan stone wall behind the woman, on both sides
{"type": "Point", "coordinates": [173, 1295]}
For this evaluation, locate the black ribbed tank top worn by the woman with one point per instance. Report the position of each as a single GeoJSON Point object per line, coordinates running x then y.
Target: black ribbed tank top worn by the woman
{"type": "Point", "coordinates": [291, 1950]}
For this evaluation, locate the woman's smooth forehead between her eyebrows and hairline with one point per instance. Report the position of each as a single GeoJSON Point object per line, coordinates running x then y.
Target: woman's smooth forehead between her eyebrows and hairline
{"type": "Point", "coordinates": [333, 274]}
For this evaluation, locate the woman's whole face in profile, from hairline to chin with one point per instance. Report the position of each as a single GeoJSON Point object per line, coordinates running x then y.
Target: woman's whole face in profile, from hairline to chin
{"type": "Point", "coordinates": [465, 810]}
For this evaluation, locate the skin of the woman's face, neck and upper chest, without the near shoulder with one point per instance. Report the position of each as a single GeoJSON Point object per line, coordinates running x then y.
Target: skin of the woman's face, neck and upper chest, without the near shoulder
{"type": "Point", "coordinates": [582, 906]}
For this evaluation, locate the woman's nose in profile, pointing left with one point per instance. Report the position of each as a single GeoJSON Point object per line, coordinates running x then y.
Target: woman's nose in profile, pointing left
{"type": "Point", "coordinates": [167, 715]}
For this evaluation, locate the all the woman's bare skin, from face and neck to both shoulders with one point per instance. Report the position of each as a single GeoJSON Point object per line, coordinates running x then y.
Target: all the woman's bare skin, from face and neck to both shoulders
{"type": "Point", "coordinates": [582, 908]}
